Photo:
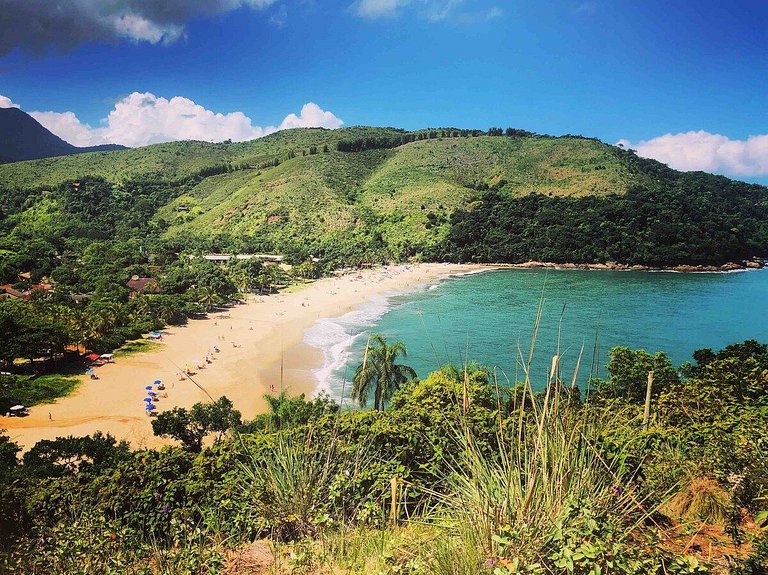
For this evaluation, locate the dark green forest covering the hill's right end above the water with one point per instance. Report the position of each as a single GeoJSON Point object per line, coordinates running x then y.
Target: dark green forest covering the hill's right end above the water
{"type": "Point", "coordinates": [695, 218]}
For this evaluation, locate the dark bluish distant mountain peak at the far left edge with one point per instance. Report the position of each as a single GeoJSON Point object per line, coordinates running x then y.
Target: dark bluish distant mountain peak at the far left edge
{"type": "Point", "coordinates": [24, 138]}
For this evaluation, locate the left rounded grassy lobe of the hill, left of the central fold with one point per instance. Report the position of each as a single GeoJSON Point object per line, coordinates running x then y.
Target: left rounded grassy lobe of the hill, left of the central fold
{"type": "Point", "coordinates": [301, 198]}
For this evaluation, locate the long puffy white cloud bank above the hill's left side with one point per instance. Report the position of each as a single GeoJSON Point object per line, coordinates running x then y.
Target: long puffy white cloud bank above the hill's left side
{"type": "Point", "coordinates": [143, 118]}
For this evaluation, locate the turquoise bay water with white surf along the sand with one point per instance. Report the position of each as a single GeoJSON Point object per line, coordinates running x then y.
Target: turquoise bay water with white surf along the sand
{"type": "Point", "coordinates": [489, 318]}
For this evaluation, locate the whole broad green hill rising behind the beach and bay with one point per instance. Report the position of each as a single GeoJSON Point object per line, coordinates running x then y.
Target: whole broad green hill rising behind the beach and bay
{"type": "Point", "coordinates": [374, 194]}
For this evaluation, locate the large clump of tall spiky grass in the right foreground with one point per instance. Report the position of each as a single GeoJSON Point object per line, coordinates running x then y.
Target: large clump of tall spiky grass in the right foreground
{"type": "Point", "coordinates": [544, 482]}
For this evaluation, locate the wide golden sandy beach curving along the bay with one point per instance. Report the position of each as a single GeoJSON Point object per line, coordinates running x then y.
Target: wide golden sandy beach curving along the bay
{"type": "Point", "coordinates": [256, 341]}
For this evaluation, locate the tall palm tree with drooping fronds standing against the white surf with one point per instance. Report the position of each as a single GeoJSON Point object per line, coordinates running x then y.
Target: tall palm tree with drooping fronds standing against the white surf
{"type": "Point", "coordinates": [380, 371]}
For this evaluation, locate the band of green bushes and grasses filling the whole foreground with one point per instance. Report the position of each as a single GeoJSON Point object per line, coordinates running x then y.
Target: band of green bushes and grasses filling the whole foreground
{"type": "Point", "coordinates": [458, 476]}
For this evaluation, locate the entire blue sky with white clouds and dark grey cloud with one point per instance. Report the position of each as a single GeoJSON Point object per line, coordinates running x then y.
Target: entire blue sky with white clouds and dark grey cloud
{"type": "Point", "coordinates": [683, 82]}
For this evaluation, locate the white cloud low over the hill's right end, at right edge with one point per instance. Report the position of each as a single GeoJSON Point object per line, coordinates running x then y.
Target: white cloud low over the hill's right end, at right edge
{"type": "Point", "coordinates": [707, 152]}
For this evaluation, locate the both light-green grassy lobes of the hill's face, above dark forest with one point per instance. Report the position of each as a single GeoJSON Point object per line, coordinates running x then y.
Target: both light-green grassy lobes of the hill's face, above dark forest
{"type": "Point", "coordinates": [408, 193]}
